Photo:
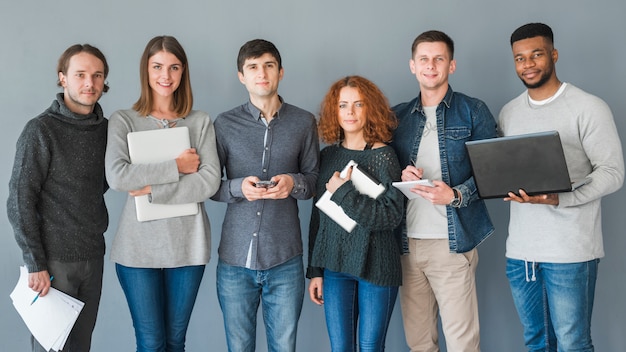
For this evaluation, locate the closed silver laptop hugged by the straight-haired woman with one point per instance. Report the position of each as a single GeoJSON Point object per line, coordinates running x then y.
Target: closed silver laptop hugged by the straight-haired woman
{"type": "Point", "coordinates": [155, 146]}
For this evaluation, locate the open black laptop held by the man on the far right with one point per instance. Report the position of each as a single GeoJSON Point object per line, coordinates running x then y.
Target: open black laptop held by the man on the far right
{"type": "Point", "coordinates": [533, 162]}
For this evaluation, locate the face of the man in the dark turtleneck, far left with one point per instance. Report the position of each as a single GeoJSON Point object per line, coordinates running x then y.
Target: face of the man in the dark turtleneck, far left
{"type": "Point", "coordinates": [83, 83]}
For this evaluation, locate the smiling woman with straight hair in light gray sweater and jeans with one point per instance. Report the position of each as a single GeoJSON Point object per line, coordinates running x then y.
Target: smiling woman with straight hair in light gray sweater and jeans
{"type": "Point", "coordinates": [160, 263]}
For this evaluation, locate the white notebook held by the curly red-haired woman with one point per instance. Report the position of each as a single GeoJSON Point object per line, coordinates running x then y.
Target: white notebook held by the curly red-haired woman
{"type": "Point", "coordinates": [363, 182]}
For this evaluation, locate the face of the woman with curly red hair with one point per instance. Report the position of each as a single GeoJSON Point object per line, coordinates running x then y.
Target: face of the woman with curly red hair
{"type": "Point", "coordinates": [351, 114]}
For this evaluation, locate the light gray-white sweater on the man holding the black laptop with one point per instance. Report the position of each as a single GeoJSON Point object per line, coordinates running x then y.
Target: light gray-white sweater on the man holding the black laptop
{"type": "Point", "coordinates": [572, 231]}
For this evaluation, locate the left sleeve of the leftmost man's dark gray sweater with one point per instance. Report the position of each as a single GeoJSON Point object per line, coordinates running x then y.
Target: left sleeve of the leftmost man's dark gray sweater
{"type": "Point", "coordinates": [30, 167]}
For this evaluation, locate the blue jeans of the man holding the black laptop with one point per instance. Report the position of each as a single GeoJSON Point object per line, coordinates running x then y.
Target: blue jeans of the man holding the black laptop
{"type": "Point", "coordinates": [554, 302]}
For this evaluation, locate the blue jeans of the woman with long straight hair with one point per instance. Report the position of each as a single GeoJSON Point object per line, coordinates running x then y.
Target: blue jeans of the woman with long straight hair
{"type": "Point", "coordinates": [160, 303]}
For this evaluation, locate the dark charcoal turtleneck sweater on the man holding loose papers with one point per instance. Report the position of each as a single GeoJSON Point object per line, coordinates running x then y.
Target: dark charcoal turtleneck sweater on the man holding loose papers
{"type": "Point", "coordinates": [56, 204]}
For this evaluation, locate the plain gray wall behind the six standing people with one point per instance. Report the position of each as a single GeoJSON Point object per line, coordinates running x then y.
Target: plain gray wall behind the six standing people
{"type": "Point", "coordinates": [320, 41]}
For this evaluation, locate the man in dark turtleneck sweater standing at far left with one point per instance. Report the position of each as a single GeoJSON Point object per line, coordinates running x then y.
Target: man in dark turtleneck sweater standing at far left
{"type": "Point", "coordinates": [56, 203]}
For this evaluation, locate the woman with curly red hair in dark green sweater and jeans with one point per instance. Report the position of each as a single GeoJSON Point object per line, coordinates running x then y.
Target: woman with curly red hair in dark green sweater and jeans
{"type": "Point", "coordinates": [356, 274]}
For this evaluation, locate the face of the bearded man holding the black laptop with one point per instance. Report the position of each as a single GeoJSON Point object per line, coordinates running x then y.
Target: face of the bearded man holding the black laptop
{"type": "Point", "coordinates": [535, 59]}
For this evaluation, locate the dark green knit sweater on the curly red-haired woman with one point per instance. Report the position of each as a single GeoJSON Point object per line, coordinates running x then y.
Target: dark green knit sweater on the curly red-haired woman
{"type": "Point", "coordinates": [371, 251]}
